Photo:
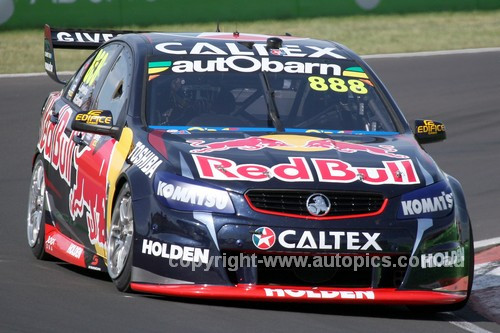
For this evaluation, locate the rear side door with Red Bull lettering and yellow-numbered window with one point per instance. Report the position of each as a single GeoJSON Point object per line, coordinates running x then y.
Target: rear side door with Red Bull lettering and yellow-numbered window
{"type": "Point", "coordinates": [57, 140]}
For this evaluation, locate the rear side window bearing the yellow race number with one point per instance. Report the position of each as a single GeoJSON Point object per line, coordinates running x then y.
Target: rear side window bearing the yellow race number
{"type": "Point", "coordinates": [95, 71]}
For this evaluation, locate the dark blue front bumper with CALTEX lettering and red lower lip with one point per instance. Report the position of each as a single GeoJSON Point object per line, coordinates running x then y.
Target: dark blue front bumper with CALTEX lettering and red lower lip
{"type": "Point", "coordinates": [432, 284]}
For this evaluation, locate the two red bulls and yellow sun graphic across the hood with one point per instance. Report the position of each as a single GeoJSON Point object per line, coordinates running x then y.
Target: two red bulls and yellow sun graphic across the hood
{"type": "Point", "coordinates": [291, 142]}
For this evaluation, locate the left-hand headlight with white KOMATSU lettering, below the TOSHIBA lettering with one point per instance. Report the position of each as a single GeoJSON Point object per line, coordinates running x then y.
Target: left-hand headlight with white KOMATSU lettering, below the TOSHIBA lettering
{"type": "Point", "coordinates": [182, 193]}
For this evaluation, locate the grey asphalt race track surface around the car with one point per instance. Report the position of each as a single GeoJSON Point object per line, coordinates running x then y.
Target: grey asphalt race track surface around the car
{"type": "Point", "coordinates": [461, 90]}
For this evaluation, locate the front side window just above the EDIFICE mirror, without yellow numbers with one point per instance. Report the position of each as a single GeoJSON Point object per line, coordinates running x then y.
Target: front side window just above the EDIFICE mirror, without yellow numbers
{"type": "Point", "coordinates": [116, 86]}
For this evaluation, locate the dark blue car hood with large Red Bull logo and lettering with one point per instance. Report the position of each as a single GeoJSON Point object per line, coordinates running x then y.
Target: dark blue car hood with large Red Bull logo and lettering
{"type": "Point", "coordinates": [237, 161]}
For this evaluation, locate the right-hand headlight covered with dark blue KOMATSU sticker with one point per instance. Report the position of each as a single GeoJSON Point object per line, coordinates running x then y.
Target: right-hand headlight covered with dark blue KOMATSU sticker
{"type": "Point", "coordinates": [432, 201]}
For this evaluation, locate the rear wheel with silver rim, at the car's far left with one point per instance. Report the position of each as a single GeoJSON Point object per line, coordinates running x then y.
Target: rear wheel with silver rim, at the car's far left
{"type": "Point", "coordinates": [36, 210]}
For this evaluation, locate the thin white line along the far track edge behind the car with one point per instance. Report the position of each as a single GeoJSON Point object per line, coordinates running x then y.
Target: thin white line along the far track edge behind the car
{"type": "Point", "coordinates": [370, 56]}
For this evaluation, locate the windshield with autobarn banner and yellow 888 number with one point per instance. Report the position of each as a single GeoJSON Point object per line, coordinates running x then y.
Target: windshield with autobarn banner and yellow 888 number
{"type": "Point", "coordinates": [329, 94]}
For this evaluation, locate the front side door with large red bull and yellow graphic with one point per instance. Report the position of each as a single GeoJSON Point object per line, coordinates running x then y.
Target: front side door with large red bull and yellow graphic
{"type": "Point", "coordinates": [99, 158]}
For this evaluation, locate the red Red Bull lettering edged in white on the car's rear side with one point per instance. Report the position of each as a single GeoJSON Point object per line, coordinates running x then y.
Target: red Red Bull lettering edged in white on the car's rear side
{"type": "Point", "coordinates": [57, 147]}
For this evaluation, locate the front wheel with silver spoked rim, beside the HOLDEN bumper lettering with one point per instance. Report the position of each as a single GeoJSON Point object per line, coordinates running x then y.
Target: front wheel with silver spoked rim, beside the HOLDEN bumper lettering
{"type": "Point", "coordinates": [120, 240]}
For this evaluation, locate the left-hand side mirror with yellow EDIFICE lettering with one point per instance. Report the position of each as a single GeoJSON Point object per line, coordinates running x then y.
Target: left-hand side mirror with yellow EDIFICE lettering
{"type": "Point", "coordinates": [95, 121]}
